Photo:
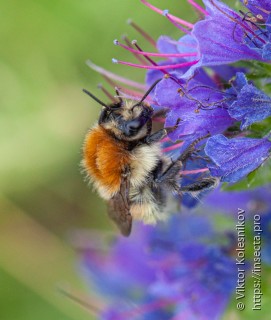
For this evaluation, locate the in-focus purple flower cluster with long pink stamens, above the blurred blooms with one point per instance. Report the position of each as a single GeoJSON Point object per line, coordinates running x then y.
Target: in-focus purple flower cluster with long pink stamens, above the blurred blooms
{"type": "Point", "coordinates": [195, 94]}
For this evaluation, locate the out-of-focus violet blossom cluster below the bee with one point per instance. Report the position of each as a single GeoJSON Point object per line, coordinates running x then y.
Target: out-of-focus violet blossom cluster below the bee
{"type": "Point", "coordinates": [184, 269]}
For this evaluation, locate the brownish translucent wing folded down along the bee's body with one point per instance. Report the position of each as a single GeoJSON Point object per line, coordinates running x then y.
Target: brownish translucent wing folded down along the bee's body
{"type": "Point", "coordinates": [119, 208]}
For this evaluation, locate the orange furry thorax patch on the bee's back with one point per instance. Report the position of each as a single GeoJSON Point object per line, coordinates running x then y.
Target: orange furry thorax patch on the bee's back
{"type": "Point", "coordinates": [105, 158]}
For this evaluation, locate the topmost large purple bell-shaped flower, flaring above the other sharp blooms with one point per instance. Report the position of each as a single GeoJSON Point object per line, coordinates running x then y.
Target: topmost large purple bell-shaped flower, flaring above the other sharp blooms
{"type": "Point", "coordinates": [220, 37]}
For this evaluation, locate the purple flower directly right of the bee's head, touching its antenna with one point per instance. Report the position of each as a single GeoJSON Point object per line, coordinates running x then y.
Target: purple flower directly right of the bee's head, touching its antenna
{"type": "Point", "coordinates": [201, 108]}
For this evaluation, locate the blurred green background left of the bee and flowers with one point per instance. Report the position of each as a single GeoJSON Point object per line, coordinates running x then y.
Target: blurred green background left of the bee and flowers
{"type": "Point", "coordinates": [43, 119]}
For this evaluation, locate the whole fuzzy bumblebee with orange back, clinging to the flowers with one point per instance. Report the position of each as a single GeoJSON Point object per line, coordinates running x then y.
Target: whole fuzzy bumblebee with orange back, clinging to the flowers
{"type": "Point", "coordinates": [123, 159]}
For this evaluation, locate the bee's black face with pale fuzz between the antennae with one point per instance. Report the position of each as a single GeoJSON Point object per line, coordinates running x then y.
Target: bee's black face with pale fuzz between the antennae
{"type": "Point", "coordinates": [126, 118]}
